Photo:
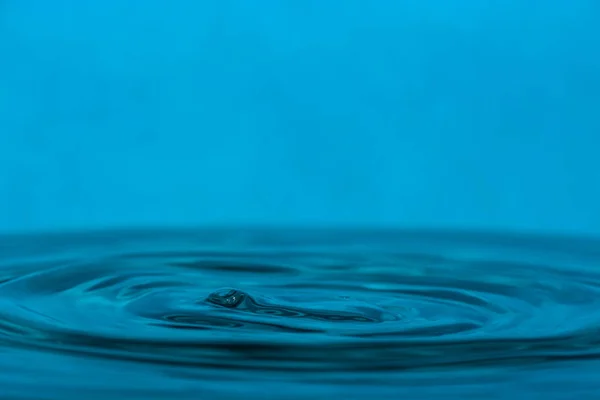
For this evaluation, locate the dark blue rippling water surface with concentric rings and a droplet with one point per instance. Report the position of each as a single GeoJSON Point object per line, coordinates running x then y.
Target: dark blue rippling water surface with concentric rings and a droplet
{"type": "Point", "coordinates": [228, 314]}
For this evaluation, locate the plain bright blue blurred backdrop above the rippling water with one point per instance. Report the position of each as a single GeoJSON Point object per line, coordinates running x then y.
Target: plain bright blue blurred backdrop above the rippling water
{"type": "Point", "coordinates": [442, 114]}
